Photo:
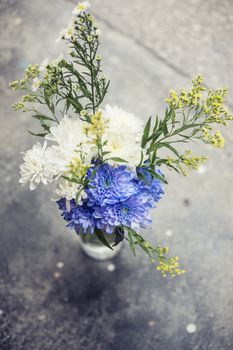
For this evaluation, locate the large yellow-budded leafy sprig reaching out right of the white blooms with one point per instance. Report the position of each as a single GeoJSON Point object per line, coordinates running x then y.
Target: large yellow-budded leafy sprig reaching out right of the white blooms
{"type": "Point", "coordinates": [190, 116]}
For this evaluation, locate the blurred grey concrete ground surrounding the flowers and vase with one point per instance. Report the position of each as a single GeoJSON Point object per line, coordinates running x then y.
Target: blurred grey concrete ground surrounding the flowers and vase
{"type": "Point", "coordinates": [51, 295]}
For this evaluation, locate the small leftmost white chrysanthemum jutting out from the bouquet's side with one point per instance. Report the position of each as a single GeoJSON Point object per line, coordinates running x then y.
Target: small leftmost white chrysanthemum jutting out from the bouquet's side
{"type": "Point", "coordinates": [37, 167]}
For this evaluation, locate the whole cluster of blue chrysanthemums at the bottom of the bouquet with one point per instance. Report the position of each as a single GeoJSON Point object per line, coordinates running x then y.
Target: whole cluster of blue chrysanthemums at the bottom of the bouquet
{"type": "Point", "coordinates": [115, 197]}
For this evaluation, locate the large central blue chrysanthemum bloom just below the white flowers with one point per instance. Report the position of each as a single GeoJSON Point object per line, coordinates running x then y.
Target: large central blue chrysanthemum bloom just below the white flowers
{"type": "Point", "coordinates": [110, 185]}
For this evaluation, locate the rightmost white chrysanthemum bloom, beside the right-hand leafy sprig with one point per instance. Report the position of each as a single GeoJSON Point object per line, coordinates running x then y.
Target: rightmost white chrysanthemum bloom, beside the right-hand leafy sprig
{"type": "Point", "coordinates": [123, 134]}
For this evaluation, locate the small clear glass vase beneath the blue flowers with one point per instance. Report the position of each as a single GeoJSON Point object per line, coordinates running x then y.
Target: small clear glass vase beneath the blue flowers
{"type": "Point", "coordinates": [95, 249]}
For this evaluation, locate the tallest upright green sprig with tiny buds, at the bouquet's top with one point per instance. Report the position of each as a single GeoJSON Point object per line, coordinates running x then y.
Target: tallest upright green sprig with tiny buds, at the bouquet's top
{"type": "Point", "coordinates": [84, 44]}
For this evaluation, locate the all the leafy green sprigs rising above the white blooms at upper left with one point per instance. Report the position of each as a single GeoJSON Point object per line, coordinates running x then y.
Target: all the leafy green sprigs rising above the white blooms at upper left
{"type": "Point", "coordinates": [78, 83]}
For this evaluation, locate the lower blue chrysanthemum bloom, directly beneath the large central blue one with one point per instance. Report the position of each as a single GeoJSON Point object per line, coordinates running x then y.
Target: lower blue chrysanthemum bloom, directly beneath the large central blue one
{"type": "Point", "coordinates": [131, 213]}
